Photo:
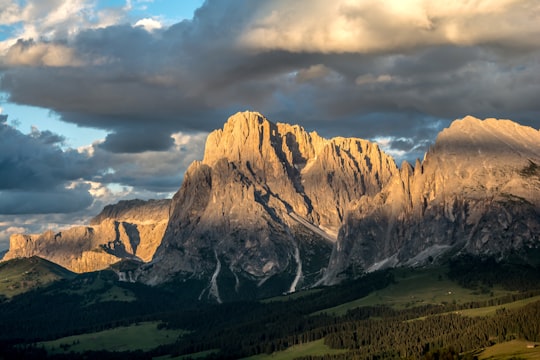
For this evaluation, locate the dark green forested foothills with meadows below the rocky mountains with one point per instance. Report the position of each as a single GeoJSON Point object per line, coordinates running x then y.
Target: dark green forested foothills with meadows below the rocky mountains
{"type": "Point", "coordinates": [449, 312]}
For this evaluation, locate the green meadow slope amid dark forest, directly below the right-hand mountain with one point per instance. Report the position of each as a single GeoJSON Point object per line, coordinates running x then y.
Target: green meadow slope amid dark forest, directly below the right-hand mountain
{"type": "Point", "coordinates": [418, 287]}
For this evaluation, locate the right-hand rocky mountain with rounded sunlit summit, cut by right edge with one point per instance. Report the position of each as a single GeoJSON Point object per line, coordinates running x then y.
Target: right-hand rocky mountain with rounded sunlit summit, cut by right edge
{"type": "Point", "coordinates": [477, 191]}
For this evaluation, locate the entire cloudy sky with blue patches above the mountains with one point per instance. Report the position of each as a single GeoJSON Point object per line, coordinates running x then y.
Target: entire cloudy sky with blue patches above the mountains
{"type": "Point", "coordinates": [102, 101]}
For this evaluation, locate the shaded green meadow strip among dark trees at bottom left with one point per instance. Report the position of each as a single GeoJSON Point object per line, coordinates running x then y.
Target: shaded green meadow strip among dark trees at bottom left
{"type": "Point", "coordinates": [144, 336]}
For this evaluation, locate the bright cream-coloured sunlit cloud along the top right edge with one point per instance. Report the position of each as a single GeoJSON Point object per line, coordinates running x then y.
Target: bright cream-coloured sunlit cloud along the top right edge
{"type": "Point", "coordinates": [348, 26]}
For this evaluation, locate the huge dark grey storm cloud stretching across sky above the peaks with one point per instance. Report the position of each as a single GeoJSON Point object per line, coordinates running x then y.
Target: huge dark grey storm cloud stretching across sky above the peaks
{"type": "Point", "coordinates": [407, 71]}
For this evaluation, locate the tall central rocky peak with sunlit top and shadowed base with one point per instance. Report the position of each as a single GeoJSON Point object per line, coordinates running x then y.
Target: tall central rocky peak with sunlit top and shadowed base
{"type": "Point", "coordinates": [265, 204]}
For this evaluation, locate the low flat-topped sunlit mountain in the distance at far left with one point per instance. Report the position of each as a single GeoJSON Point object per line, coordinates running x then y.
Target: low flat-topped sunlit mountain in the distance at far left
{"type": "Point", "coordinates": [128, 230]}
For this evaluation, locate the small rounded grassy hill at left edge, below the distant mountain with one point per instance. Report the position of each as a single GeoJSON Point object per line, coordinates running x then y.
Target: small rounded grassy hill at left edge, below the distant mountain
{"type": "Point", "coordinates": [20, 275]}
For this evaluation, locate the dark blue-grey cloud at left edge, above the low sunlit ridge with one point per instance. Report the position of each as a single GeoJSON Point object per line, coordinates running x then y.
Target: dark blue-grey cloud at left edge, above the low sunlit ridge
{"type": "Point", "coordinates": [36, 175]}
